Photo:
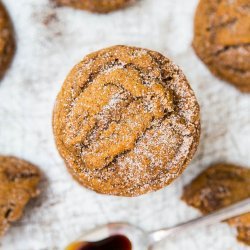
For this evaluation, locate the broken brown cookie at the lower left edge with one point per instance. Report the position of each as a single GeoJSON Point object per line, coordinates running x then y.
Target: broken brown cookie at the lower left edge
{"type": "Point", "coordinates": [18, 184]}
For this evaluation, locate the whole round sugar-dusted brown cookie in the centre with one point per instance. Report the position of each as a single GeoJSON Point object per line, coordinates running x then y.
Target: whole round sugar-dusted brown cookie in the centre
{"type": "Point", "coordinates": [126, 121]}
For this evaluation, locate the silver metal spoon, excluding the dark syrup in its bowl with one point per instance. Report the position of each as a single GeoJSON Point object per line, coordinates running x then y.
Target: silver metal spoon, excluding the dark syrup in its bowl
{"type": "Point", "coordinates": [142, 240]}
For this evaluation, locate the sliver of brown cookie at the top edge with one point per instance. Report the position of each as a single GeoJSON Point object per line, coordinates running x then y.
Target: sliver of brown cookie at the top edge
{"type": "Point", "coordinates": [100, 6]}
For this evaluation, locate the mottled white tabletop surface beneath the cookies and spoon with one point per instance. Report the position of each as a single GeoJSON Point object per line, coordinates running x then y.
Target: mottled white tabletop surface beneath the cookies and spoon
{"type": "Point", "coordinates": [44, 56]}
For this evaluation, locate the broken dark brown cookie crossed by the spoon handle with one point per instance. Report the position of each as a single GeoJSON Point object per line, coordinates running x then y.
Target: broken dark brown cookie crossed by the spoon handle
{"type": "Point", "coordinates": [219, 186]}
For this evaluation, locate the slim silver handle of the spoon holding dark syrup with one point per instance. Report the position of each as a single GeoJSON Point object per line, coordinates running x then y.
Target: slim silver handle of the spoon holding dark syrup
{"type": "Point", "coordinates": [215, 217]}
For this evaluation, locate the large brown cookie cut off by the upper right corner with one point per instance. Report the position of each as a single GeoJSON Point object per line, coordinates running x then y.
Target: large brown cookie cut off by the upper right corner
{"type": "Point", "coordinates": [222, 39]}
